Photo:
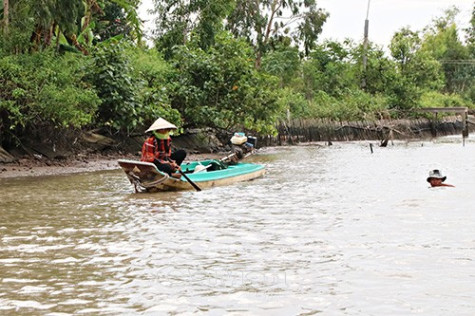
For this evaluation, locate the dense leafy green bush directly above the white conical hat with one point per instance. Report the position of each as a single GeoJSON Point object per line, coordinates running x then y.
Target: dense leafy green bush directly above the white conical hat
{"type": "Point", "coordinates": [132, 85]}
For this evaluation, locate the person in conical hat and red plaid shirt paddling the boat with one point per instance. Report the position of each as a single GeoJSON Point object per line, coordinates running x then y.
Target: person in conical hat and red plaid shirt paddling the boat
{"type": "Point", "coordinates": [157, 148]}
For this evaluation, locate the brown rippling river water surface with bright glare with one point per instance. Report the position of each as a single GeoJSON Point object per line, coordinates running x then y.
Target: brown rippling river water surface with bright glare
{"type": "Point", "coordinates": [332, 229]}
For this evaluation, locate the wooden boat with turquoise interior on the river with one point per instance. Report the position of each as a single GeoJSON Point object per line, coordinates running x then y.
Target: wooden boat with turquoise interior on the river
{"type": "Point", "coordinates": [207, 173]}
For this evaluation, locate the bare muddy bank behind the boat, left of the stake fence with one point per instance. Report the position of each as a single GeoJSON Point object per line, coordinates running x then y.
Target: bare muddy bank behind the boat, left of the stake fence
{"type": "Point", "coordinates": [91, 151]}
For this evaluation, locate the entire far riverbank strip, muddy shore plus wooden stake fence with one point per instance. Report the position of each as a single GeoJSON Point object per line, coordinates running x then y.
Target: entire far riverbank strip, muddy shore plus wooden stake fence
{"type": "Point", "coordinates": [95, 152]}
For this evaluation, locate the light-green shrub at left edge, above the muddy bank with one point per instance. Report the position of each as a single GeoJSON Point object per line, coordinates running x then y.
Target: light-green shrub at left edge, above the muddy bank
{"type": "Point", "coordinates": [43, 89]}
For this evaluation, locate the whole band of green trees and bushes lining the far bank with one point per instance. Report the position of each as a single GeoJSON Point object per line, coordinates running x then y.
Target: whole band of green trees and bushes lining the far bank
{"type": "Point", "coordinates": [260, 72]}
